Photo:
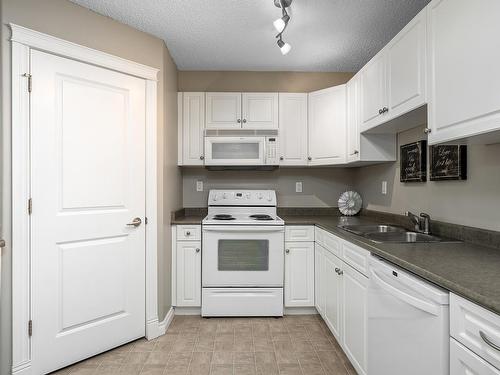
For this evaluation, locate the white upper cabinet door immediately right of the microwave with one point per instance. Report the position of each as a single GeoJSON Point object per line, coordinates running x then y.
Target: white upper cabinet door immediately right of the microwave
{"type": "Point", "coordinates": [293, 128]}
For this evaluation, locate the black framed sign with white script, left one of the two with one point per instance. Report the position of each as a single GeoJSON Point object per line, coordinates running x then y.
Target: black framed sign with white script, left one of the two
{"type": "Point", "coordinates": [413, 162]}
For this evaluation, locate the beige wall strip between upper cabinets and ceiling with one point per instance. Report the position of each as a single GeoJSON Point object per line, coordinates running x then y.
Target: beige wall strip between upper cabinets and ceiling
{"type": "Point", "coordinates": [259, 81]}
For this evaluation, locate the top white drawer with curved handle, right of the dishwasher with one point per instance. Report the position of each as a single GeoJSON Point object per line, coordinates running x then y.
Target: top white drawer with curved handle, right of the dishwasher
{"type": "Point", "coordinates": [475, 327]}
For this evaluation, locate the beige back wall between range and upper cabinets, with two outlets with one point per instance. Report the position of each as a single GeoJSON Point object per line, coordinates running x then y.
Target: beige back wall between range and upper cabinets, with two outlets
{"type": "Point", "coordinates": [321, 186]}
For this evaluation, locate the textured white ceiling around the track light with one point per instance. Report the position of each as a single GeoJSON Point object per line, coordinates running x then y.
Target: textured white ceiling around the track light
{"type": "Point", "coordinates": [326, 35]}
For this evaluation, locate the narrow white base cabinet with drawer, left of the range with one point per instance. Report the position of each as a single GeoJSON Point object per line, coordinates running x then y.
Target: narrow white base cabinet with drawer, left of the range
{"type": "Point", "coordinates": [186, 265]}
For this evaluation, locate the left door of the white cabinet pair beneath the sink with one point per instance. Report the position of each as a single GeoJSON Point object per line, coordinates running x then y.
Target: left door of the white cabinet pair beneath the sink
{"type": "Point", "coordinates": [332, 284]}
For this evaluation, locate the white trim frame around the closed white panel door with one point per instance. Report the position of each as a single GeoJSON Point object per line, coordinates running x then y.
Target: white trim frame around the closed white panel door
{"type": "Point", "coordinates": [23, 40]}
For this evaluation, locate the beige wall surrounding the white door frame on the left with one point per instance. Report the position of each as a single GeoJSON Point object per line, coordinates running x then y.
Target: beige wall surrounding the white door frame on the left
{"type": "Point", "coordinates": [68, 21]}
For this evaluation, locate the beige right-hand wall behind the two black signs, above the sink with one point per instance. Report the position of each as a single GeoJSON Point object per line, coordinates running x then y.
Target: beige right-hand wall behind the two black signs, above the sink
{"type": "Point", "coordinates": [473, 202]}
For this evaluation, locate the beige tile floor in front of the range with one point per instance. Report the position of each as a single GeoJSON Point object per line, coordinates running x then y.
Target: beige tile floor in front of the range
{"type": "Point", "coordinates": [233, 346]}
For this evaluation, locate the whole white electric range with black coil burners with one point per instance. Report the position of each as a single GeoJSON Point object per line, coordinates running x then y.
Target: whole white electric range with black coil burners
{"type": "Point", "coordinates": [243, 254]}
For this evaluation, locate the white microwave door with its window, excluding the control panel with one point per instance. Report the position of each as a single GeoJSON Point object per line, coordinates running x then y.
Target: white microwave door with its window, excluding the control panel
{"type": "Point", "coordinates": [227, 151]}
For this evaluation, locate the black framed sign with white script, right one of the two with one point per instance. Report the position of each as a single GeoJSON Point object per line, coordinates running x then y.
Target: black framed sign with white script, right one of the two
{"type": "Point", "coordinates": [448, 162]}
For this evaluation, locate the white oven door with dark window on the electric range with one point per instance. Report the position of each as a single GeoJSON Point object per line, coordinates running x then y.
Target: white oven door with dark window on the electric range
{"type": "Point", "coordinates": [242, 256]}
